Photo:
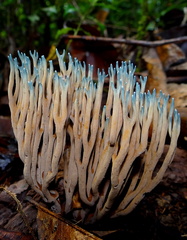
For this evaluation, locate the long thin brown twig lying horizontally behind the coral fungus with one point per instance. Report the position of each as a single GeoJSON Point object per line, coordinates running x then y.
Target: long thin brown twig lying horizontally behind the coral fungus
{"type": "Point", "coordinates": [127, 41]}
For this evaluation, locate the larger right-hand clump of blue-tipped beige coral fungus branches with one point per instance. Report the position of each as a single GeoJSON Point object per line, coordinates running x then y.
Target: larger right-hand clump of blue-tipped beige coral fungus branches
{"type": "Point", "coordinates": [122, 165]}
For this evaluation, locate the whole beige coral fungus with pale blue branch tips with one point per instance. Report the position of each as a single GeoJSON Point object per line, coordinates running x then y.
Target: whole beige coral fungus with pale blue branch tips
{"type": "Point", "coordinates": [111, 154]}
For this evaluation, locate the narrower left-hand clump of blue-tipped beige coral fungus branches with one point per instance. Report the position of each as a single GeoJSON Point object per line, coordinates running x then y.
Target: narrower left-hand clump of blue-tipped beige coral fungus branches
{"type": "Point", "coordinates": [38, 104]}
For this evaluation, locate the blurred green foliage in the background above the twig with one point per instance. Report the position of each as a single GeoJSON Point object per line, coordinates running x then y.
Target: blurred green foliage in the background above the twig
{"type": "Point", "coordinates": [38, 25]}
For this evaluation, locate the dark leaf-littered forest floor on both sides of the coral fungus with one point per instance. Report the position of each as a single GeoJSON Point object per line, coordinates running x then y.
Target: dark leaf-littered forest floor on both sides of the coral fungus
{"type": "Point", "coordinates": [162, 214]}
